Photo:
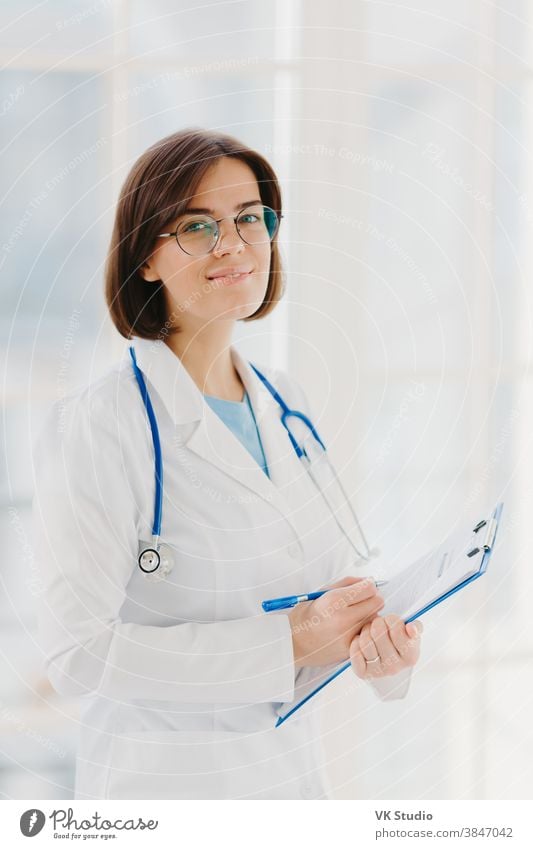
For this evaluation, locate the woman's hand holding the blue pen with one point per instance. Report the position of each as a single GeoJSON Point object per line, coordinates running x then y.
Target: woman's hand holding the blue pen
{"type": "Point", "coordinates": [322, 630]}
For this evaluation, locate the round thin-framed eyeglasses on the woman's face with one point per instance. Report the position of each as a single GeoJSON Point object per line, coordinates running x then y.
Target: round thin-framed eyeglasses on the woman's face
{"type": "Point", "coordinates": [198, 235]}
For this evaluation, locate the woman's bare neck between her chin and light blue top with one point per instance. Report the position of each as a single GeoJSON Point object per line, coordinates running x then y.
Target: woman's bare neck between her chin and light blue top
{"type": "Point", "coordinates": [206, 355]}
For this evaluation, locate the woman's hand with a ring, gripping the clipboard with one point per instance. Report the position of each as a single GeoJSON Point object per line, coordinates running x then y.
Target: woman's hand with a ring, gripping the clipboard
{"type": "Point", "coordinates": [385, 646]}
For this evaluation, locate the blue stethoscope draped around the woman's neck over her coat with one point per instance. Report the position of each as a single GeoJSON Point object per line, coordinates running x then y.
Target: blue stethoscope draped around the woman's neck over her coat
{"type": "Point", "coordinates": [156, 559]}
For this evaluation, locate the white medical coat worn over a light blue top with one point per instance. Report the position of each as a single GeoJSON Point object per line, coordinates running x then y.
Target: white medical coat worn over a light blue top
{"type": "Point", "coordinates": [181, 680]}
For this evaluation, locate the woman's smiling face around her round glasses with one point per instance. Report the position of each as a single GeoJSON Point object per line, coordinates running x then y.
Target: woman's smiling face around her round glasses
{"type": "Point", "coordinates": [196, 293]}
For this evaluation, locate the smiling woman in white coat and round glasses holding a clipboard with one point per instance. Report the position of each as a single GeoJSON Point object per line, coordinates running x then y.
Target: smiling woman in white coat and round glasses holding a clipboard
{"type": "Point", "coordinates": [181, 675]}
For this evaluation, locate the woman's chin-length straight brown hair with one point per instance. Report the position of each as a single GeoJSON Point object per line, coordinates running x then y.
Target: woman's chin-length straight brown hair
{"type": "Point", "coordinates": [156, 190]}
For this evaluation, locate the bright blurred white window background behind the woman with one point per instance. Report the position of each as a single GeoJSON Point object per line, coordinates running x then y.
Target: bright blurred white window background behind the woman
{"type": "Point", "coordinates": [402, 136]}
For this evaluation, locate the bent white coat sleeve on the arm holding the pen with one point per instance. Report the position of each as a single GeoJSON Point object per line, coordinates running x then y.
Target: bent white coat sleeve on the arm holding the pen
{"type": "Point", "coordinates": [85, 536]}
